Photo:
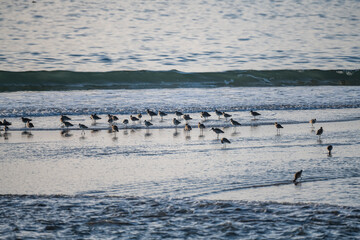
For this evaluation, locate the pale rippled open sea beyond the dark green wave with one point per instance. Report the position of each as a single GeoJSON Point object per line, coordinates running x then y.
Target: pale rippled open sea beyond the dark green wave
{"type": "Point", "coordinates": [188, 36]}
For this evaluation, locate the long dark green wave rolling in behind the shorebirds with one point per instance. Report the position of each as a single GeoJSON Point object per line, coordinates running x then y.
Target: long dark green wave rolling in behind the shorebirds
{"type": "Point", "coordinates": [68, 80]}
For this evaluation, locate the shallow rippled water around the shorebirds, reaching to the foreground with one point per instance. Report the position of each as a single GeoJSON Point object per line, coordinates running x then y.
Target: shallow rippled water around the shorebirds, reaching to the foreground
{"type": "Point", "coordinates": [161, 183]}
